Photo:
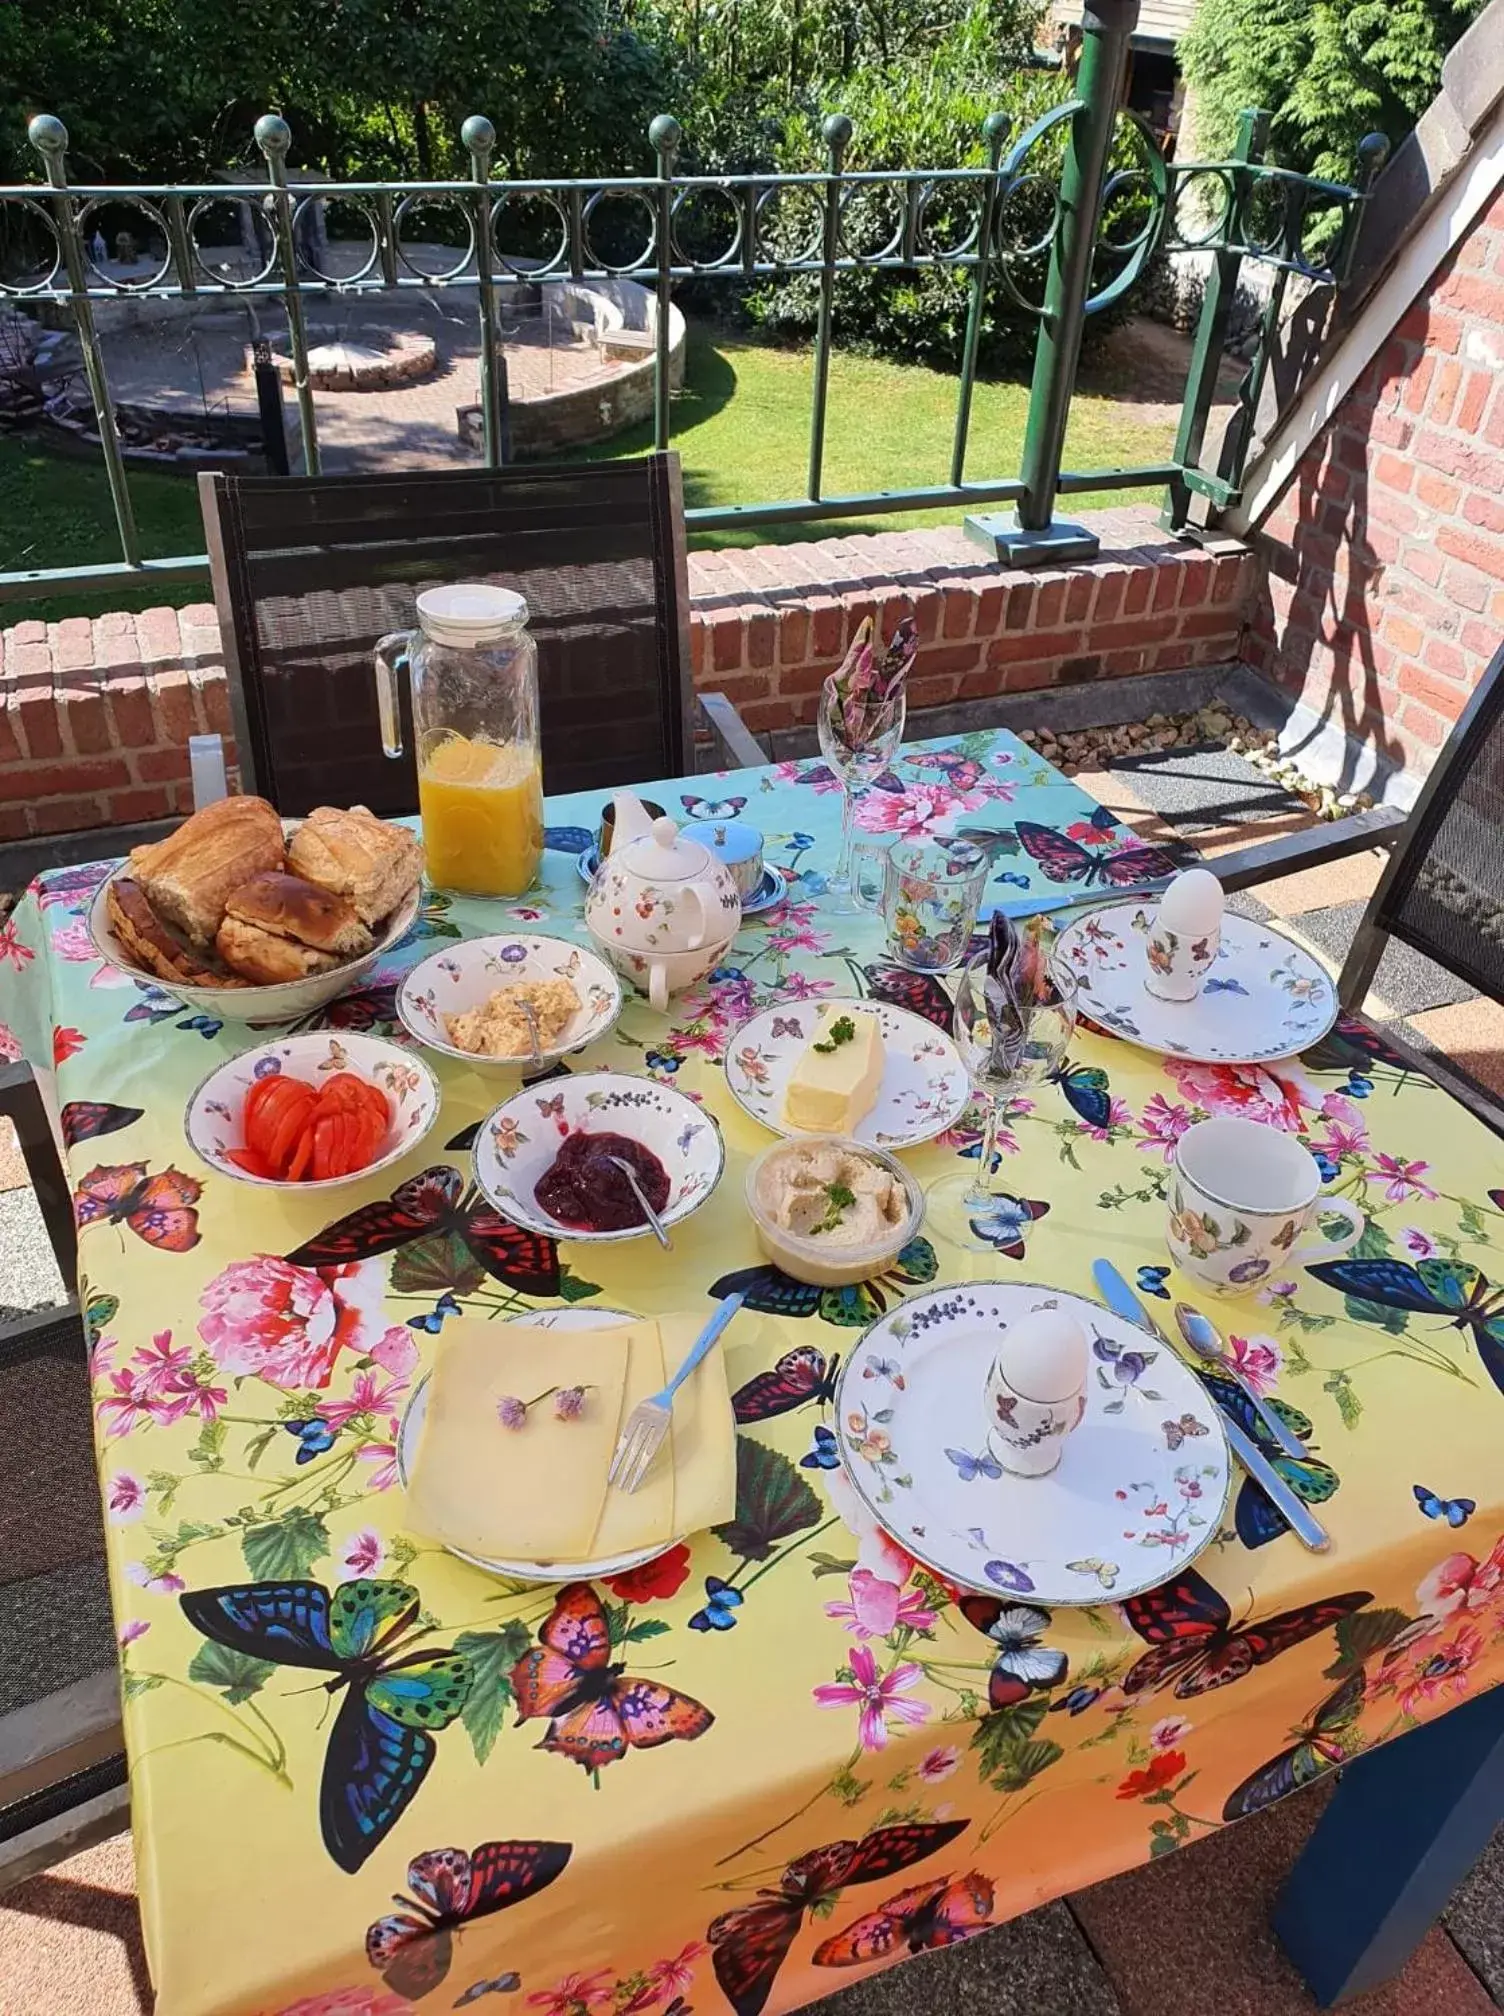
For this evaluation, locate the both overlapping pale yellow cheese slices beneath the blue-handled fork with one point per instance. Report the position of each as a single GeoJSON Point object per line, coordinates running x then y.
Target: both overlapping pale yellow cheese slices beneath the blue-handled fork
{"type": "Point", "coordinates": [539, 1493]}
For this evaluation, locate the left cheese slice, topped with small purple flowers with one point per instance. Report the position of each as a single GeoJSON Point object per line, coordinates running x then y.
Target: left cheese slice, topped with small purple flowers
{"type": "Point", "coordinates": [531, 1493]}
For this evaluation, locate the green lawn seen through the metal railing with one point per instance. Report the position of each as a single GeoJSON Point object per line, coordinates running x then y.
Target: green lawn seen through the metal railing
{"type": "Point", "coordinates": [741, 426]}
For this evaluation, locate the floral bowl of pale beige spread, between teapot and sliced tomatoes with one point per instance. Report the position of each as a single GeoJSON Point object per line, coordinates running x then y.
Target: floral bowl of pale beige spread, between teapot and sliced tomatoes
{"type": "Point", "coordinates": [509, 1003]}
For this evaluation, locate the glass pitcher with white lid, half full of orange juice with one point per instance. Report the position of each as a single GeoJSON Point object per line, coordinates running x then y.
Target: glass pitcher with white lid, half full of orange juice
{"type": "Point", "coordinates": [475, 680]}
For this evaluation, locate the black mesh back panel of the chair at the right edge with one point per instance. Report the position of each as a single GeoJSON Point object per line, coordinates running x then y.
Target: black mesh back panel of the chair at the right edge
{"type": "Point", "coordinates": [1445, 886]}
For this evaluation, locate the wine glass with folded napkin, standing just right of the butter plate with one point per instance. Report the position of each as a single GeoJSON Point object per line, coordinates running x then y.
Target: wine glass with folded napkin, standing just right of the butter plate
{"type": "Point", "coordinates": [1005, 1057]}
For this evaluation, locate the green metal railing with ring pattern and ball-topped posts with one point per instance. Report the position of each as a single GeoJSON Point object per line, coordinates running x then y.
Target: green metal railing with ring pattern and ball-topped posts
{"type": "Point", "coordinates": [1061, 223]}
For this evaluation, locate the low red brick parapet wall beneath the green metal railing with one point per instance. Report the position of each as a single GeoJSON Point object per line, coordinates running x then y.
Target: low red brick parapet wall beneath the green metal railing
{"type": "Point", "coordinates": [98, 713]}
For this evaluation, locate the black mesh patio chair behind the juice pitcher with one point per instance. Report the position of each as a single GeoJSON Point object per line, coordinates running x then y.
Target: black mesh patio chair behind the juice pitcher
{"type": "Point", "coordinates": [311, 572]}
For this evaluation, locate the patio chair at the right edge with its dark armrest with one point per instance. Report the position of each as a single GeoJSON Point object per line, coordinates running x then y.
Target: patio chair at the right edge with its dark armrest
{"type": "Point", "coordinates": [1443, 890]}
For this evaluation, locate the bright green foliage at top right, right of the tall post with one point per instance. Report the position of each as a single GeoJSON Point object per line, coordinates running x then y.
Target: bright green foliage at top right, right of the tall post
{"type": "Point", "coordinates": [1328, 72]}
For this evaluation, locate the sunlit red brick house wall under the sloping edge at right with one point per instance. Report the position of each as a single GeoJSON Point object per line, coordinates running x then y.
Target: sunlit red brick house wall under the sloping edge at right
{"type": "Point", "coordinates": [1386, 553]}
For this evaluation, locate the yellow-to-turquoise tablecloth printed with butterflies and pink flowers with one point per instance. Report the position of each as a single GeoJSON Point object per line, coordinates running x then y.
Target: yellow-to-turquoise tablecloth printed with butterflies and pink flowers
{"type": "Point", "coordinates": [370, 1779]}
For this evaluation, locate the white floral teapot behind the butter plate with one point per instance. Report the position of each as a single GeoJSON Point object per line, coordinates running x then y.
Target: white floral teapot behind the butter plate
{"type": "Point", "coordinates": [660, 908]}
